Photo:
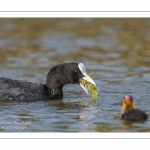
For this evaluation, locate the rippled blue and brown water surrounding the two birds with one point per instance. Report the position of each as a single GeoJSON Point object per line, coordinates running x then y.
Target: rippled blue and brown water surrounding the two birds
{"type": "Point", "coordinates": [116, 50]}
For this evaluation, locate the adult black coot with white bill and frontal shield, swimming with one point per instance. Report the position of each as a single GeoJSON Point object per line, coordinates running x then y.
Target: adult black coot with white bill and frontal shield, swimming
{"type": "Point", "coordinates": [58, 76]}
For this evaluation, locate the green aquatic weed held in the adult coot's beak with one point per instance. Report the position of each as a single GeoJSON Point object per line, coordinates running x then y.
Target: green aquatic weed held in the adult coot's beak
{"type": "Point", "coordinates": [91, 87]}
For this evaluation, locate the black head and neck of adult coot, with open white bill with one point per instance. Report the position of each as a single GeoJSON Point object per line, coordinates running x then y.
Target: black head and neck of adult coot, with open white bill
{"type": "Point", "coordinates": [67, 73]}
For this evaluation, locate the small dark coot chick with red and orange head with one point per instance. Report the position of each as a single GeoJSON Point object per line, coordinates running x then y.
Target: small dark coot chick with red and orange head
{"type": "Point", "coordinates": [130, 112]}
